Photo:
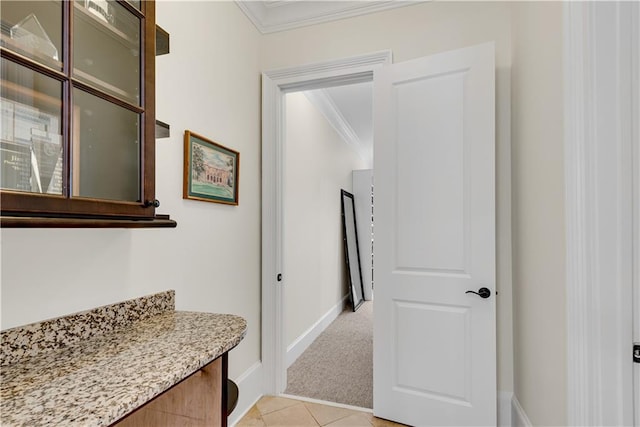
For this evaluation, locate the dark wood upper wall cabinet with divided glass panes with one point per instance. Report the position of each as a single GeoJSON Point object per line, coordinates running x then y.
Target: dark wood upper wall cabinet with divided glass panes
{"type": "Point", "coordinates": [78, 109]}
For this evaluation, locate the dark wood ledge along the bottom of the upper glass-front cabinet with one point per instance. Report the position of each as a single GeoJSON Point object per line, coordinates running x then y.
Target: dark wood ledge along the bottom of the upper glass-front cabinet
{"type": "Point", "coordinates": [160, 221]}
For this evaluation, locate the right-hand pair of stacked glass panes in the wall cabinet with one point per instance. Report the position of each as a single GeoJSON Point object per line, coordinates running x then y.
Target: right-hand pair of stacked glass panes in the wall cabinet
{"type": "Point", "coordinates": [106, 134]}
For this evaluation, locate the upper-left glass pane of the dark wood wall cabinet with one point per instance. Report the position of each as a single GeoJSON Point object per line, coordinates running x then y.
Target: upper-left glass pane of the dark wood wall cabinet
{"type": "Point", "coordinates": [34, 29]}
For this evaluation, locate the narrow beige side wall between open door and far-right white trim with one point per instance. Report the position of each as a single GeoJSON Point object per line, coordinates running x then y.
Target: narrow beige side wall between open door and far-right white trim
{"type": "Point", "coordinates": [538, 213]}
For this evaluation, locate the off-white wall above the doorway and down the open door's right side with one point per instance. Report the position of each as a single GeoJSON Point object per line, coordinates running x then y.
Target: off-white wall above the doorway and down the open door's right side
{"type": "Point", "coordinates": [411, 32]}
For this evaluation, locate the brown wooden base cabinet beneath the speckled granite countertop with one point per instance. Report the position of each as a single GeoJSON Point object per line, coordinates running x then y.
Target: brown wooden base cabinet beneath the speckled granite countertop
{"type": "Point", "coordinates": [198, 400]}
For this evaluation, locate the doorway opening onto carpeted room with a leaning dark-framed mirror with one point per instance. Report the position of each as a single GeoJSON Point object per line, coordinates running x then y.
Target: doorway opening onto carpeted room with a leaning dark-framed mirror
{"type": "Point", "coordinates": [328, 143]}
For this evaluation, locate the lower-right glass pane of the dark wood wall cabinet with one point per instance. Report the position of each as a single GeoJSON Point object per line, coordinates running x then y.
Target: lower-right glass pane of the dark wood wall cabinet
{"type": "Point", "coordinates": [106, 149]}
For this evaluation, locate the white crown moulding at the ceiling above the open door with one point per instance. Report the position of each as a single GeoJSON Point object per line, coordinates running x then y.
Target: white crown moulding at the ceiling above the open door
{"type": "Point", "coordinates": [271, 17]}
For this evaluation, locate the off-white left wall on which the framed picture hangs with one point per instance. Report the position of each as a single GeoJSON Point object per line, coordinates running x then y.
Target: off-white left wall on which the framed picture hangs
{"type": "Point", "coordinates": [209, 84]}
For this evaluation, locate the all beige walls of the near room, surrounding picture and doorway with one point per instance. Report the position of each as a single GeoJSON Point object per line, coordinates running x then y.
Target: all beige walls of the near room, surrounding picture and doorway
{"type": "Point", "coordinates": [209, 84]}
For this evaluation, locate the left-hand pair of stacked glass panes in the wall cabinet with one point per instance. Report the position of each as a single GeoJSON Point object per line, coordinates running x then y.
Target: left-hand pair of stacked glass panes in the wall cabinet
{"type": "Point", "coordinates": [31, 146]}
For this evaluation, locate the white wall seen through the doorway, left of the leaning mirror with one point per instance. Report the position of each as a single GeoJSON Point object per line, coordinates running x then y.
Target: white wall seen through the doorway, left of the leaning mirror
{"type": "Point", "coordinates": [318, 164]}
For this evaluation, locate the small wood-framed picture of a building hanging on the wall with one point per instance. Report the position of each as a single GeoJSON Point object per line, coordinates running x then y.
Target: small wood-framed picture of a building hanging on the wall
{"type": "Point", "coordinates": [210, 170]}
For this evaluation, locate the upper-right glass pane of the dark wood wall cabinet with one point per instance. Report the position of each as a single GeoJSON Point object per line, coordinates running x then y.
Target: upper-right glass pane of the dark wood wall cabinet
{"type": "Point", "coordinates": [106, 46]}
